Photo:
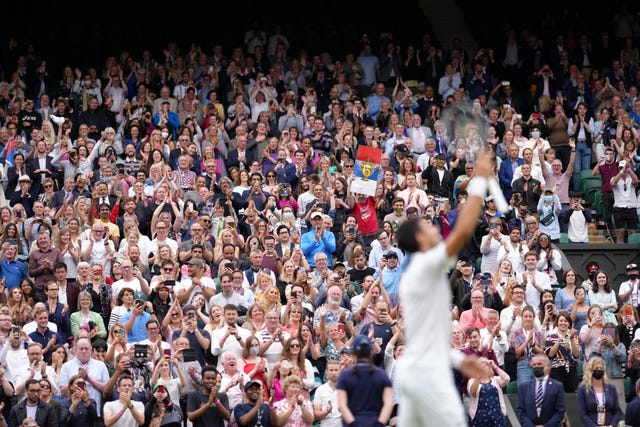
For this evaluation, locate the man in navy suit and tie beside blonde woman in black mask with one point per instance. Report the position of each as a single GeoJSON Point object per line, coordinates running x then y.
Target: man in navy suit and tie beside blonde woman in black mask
{"type": "Point", "coordinates": [552, 409]}
